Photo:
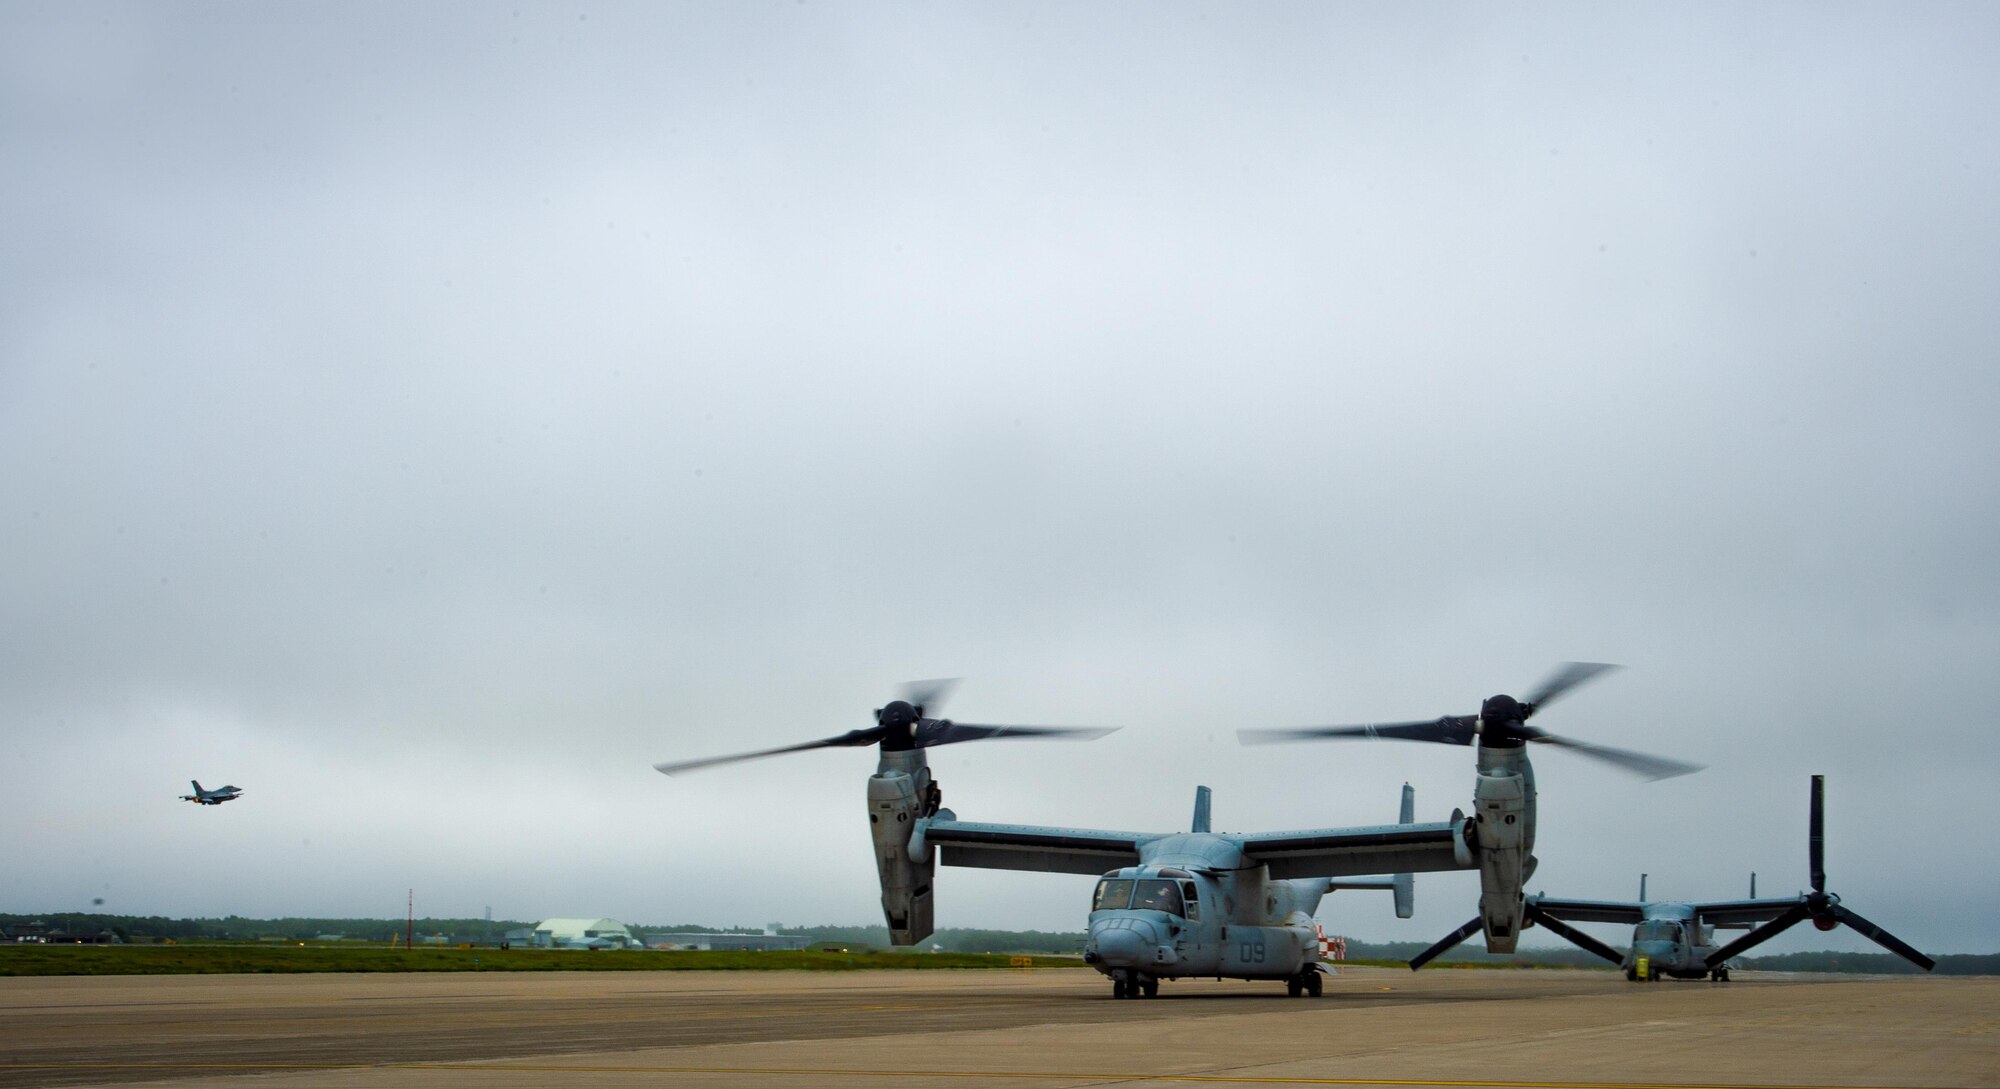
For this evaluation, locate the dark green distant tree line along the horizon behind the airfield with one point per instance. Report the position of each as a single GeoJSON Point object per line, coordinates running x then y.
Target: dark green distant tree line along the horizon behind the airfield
{"type": "Point", "coordinates": [235, 928]}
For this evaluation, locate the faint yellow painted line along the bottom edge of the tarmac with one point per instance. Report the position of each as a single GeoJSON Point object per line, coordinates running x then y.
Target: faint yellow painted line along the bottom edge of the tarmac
{"type": "Point", "coordinates": [813, 1072]}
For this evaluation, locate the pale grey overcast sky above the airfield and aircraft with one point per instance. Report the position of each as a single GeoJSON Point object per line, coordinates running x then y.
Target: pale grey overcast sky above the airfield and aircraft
{"type": "Point", "coordinates": [427, 417]}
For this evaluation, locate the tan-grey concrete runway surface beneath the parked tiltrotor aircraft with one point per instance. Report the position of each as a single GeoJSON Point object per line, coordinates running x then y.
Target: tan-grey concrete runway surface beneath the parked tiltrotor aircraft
{"type": "Point", "coordinates": [969, 1030]}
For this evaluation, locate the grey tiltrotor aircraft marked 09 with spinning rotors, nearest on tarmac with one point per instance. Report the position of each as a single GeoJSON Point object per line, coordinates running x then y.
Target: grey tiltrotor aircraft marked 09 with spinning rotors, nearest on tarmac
{"type": "Point", "coordinates": [1201, 904]}
